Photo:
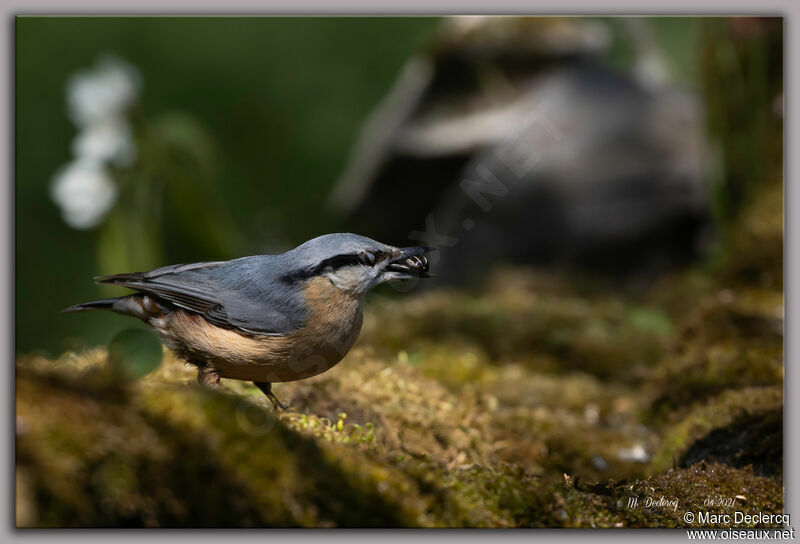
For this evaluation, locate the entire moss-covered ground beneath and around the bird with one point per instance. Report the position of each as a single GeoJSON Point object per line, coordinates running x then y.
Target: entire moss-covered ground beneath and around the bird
{"type": "Point", "coordinates": [532, 402]}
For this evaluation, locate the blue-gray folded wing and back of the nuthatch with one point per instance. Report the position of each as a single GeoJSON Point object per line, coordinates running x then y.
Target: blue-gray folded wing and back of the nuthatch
{"type": "Point", "coordinates": [242, 294]}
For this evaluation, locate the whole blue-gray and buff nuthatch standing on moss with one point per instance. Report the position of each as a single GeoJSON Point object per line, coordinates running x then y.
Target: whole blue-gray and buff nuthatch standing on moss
{"type": "Point", "coordinates": [264, 318]}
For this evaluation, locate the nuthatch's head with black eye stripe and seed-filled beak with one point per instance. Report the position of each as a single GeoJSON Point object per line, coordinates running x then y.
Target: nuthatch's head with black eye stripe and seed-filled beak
{"type": "Point", "coordinates": [356, 263]}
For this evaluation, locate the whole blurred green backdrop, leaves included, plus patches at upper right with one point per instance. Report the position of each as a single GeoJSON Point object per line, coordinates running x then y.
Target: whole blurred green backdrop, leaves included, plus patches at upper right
{"type": "Point", "coordinates": [262, 112]}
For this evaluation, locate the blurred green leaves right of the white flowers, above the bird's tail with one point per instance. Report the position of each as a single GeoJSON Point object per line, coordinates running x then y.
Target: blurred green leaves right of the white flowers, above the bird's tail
{"type": "Point", "coordinates": [160, 197]}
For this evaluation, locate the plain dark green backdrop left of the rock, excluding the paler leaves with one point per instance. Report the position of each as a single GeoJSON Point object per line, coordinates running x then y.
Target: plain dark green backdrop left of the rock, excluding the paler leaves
{"type": "Point", "coordinates": [281, 100]}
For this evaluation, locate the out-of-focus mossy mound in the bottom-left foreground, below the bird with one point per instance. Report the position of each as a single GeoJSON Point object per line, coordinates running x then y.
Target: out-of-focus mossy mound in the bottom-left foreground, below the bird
{"type": "Point", "coordinates": [170, 457]}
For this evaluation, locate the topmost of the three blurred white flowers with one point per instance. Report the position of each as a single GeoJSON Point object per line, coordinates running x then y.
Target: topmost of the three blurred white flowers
{"type": "Point", "coordinates": [107, 90]}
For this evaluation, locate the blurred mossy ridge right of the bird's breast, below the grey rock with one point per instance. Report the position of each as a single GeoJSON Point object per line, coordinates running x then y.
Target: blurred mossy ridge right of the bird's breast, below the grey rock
{"type": "Point", "coordinates": [550, 332]}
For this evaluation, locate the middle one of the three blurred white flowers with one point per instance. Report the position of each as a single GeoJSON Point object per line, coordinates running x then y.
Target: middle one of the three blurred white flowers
{"type": "Point", "coordinates": [109, 139]}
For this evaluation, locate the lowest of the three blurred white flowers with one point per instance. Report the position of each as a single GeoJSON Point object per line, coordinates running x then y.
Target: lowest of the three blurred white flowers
{"type": "Point", "coordinates": [85, 193]}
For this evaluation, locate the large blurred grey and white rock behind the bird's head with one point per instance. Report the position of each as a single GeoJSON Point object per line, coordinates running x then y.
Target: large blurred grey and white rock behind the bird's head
{"type": "Point", "coordinates": [510, 139]}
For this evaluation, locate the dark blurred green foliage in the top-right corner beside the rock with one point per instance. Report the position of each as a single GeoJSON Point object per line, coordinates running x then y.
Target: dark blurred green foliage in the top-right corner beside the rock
{"type": "Point", "coordinates": [742, 79]}
